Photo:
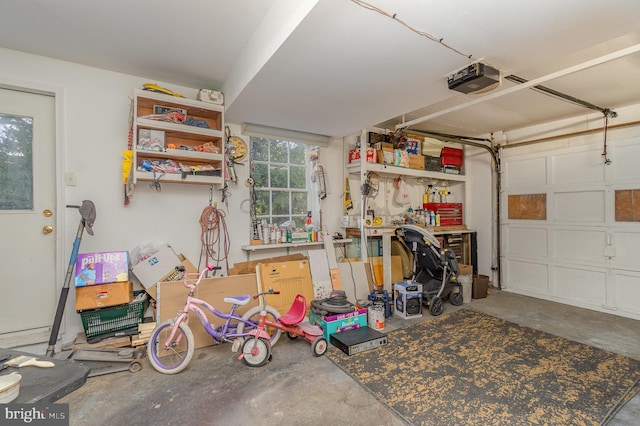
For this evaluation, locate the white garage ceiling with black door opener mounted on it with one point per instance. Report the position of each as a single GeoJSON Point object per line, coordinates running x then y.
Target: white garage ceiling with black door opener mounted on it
{"type": "Point", "coordinates": [334, 67]}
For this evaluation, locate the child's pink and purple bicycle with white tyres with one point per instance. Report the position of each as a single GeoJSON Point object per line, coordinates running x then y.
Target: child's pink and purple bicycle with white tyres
{"type": "Point", "coordinates": [171, 344]}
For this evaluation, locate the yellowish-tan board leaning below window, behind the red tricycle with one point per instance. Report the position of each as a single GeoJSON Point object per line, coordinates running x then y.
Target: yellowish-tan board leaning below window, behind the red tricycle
{"type": "Point", "coordinates": [289, 278]}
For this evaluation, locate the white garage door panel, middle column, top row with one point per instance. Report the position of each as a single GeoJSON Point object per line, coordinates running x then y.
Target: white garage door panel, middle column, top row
{"type": "Point", "coordinates": [581, 167]}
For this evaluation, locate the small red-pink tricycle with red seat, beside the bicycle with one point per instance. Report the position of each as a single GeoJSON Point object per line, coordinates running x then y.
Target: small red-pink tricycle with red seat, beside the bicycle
{"type": "Point", "coordinates": [256, 351]}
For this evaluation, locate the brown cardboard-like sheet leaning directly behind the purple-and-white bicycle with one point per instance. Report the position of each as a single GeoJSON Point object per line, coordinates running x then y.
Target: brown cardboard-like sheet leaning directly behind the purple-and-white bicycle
{"type": "Point", "coordinates": [172, 295]}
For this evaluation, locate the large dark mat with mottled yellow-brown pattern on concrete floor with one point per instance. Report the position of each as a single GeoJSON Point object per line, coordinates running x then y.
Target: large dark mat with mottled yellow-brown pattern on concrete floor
{"type": "Point", "coordinates": [469, 368]}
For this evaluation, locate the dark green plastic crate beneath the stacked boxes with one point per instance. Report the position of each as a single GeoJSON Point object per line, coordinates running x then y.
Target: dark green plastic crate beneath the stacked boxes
{"type": "Point", "coordinates": [98, 322]}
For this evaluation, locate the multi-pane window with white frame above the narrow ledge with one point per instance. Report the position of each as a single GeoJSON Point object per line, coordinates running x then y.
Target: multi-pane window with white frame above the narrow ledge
{"type": "Point", "coordinates": [281, 172]}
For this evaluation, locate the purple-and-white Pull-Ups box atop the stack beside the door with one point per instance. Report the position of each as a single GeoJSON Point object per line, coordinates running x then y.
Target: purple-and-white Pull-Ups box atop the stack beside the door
{"type": "Point", "coordinates": [101, 268]}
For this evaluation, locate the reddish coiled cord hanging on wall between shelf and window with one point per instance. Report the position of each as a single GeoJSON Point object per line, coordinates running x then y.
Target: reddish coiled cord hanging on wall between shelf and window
{"type": "Point", "coordinates": [214, 236]}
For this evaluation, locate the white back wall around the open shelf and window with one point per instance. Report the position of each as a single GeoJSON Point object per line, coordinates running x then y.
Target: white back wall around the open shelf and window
{"type": "Point", "coordinates": [94, 124]}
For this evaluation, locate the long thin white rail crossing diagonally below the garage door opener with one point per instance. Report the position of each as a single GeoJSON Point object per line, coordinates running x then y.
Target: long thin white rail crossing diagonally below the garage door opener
{"type": "Point", "coordinates": [570, 70]}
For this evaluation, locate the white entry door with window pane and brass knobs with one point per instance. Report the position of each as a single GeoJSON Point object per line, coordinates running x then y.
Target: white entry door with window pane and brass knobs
{"type": "Point", "coordinates": [28, 214]}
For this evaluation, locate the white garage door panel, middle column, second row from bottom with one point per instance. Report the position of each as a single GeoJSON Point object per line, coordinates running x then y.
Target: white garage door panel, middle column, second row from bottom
{"type": "Point", "coordinates": [579, 245]}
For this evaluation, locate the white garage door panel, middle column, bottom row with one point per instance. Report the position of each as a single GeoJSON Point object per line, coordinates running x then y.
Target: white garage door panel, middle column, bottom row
{"type": "Point", "coordinates": [586, 286]}
